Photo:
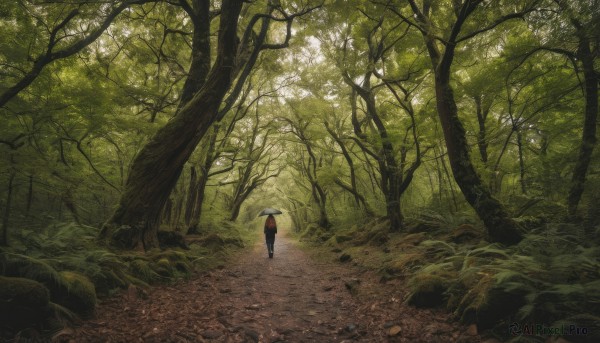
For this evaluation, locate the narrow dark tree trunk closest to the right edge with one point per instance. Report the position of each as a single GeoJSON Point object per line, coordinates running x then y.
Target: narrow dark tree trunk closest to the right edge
{"type": "Point", "coordinates": [588, 140]}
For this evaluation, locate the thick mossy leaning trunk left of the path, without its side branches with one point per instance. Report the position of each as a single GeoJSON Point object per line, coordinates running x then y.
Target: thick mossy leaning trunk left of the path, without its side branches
{"type": "Point", "coordinates": [157, 167]}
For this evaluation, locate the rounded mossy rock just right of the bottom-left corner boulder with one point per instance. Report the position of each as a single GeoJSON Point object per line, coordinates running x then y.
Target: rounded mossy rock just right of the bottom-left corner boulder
{"type": "Point", "coordinates": [80, 296]}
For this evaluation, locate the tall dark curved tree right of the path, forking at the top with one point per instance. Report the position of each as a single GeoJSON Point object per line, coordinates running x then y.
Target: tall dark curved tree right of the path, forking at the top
{"type": "Point", "coordinates": [442, 50]}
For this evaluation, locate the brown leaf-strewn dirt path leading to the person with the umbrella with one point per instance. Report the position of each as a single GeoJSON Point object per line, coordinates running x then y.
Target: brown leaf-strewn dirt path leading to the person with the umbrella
{"type": "Point", "coordinates": [298, 296]}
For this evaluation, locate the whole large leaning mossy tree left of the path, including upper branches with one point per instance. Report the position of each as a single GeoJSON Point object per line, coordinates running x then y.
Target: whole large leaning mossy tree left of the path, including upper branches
{"type": "Point", "coordinates": [158, 165]}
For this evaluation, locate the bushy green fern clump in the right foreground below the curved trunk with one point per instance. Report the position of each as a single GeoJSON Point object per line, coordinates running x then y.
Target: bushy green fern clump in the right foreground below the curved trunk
{"type": "Point", "coordinates": [550, 276]}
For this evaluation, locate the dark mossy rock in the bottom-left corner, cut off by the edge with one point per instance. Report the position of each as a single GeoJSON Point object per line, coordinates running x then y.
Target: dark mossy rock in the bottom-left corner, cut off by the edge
{"type": "Point", "coordinates": [23, 303]}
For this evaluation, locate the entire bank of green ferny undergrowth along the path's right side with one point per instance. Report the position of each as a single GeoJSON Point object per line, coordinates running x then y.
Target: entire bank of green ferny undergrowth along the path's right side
{"type": "Point", "coordinates": [549, 280]}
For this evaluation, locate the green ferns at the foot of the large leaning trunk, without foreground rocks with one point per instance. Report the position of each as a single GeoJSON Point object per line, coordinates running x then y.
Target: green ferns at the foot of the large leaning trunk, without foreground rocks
{"type": "Point", "coordinates": [71, 250]}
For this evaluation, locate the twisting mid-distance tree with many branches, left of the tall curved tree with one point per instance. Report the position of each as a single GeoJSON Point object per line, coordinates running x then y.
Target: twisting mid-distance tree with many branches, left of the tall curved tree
{"type": "Point", "coordinates": [395, 172]}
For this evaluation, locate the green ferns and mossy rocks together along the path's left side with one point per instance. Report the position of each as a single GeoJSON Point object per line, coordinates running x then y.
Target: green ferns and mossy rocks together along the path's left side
{"type": "Point", "coordinates": [66, 262]}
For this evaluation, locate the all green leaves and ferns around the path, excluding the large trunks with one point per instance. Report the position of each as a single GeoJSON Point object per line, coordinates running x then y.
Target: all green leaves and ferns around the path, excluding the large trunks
{"type": "Point", "coordinates": [70, 137]}
